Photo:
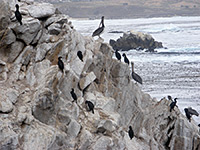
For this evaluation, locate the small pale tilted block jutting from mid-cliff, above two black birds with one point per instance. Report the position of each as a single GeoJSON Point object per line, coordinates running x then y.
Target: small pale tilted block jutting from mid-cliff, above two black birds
{"type": "Point", "coordinates": [87, 80]}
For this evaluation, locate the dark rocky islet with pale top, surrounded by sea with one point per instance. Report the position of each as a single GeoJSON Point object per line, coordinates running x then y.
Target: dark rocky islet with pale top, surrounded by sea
{"type": "Point", "coordinates": [135, 40]}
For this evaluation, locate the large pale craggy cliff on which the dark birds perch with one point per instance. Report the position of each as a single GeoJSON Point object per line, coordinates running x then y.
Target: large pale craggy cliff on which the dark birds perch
{"type": "Point", "coordinates": [36, 107]}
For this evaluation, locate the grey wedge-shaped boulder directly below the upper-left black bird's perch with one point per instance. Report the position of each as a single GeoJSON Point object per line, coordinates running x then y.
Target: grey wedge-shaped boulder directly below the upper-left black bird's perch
{"type": "Point", "coordinates": [28, 31]}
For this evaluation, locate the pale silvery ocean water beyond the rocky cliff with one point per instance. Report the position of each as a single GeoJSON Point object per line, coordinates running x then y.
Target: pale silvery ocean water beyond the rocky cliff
{"type": "Point", "coordinates": [173, 71]}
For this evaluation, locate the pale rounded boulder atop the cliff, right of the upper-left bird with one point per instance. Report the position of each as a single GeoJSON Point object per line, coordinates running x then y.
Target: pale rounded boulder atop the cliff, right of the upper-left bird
{"type": "Point", "coordinates": [41, 10]}
